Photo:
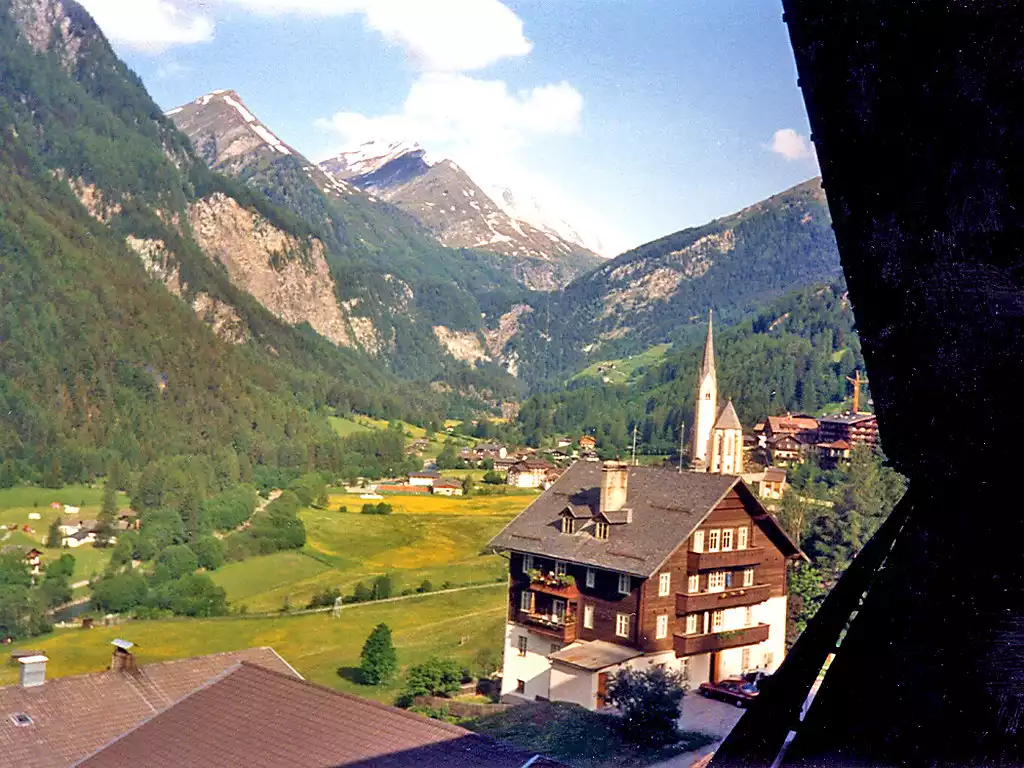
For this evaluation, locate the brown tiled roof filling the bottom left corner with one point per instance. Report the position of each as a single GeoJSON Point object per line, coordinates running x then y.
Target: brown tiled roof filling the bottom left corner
{"type": "Point", "coordinates": [74, 716]}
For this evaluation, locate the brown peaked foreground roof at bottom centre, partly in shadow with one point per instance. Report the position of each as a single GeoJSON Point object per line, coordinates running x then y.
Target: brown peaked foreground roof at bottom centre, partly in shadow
{"type": "Point", "coordinates": [258, 718]}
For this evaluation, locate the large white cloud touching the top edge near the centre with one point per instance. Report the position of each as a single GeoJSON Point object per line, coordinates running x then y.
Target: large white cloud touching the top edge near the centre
{"type": "Point", "coordinates": [438, 35]}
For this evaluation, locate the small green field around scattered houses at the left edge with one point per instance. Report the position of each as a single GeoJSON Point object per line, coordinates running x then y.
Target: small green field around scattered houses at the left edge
{"type": "Point", "coordinates": [18, 504]}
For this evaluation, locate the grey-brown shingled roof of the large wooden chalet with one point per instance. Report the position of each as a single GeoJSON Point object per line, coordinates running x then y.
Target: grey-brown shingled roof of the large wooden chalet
{"type": "Point", "coordinates": [667, 506]}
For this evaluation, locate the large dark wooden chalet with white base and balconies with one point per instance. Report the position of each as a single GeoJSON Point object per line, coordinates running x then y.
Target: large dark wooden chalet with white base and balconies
{"type": "Point", "coordinates": [617, 566]}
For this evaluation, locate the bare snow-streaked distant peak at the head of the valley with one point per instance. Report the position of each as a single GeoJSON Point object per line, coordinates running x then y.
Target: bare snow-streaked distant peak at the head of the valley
{"type": "Point", "coordinates": [444, 198]}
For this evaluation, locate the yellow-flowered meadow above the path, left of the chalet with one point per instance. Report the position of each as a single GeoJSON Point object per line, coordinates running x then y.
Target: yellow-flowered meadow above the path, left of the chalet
{"type": "Point", "coordinates": [428, 538]}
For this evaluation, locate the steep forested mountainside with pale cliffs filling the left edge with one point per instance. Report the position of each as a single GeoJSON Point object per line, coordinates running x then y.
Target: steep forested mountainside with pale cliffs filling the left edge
{"type": "Point", "coordinates": [122, 337]}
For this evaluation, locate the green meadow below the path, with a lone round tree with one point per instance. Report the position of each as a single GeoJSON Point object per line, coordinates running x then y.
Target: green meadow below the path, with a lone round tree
{"type": "Point", "coordinates": [456, 626]}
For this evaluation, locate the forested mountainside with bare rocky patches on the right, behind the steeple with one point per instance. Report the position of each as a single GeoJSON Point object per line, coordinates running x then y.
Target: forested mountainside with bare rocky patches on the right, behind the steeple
{"type": "Point", "coordinates": [661, 292]}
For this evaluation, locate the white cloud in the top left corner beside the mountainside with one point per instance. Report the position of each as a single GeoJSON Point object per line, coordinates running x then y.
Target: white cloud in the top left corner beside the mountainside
{"type": "Point", "coordinates": [151, 26]}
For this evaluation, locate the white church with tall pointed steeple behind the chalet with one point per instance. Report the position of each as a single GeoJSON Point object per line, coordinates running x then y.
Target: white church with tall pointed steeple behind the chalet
{"type": "Point", "coordinates": [718, 436]}
